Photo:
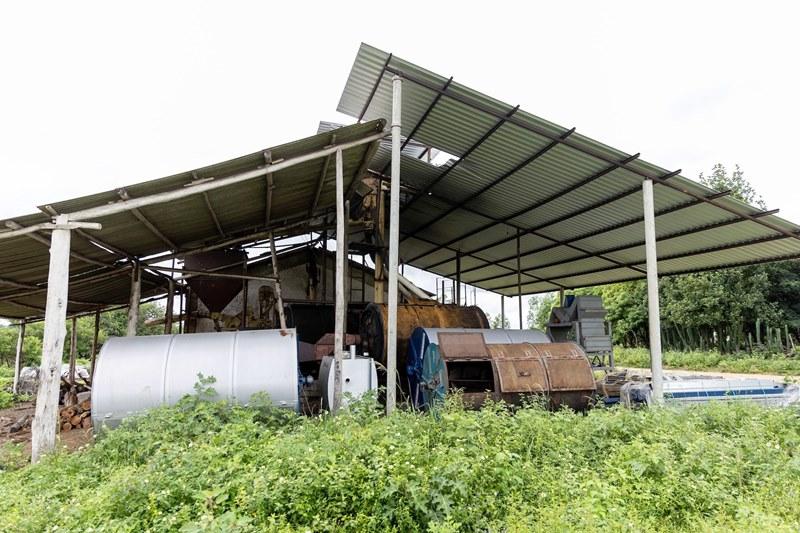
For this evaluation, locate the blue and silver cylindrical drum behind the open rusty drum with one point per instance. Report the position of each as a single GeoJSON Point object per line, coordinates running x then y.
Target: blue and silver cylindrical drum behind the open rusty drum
{"type": "Point", "coordinates": [421, 338]}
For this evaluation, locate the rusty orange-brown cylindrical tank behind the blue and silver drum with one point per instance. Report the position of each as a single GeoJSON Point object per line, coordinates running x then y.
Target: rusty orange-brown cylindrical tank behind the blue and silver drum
{"type": "Point", "coordinates": [410, 316]}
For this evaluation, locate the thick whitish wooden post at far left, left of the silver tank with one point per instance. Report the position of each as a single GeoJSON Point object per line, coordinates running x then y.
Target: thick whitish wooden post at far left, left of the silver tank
{"type": "Point", "coordinates": [44, 422]}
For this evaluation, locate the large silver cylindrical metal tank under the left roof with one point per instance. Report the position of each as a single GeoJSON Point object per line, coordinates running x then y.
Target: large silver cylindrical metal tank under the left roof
{"type": "Point", "coordinates": [138, 373]}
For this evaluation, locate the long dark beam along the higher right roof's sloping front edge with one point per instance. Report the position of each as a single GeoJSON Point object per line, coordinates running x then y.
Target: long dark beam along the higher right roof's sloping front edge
{"type": "Point", "coordinates": [590, 152]}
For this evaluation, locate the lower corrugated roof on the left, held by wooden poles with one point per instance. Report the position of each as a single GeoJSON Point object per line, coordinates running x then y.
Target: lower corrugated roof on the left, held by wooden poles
{"type": "Point", "coordinates": [187, 223]}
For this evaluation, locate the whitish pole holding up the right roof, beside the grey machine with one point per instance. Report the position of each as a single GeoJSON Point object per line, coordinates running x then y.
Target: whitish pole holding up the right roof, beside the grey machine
{"type": "Point", "coordinates": [653, 311]}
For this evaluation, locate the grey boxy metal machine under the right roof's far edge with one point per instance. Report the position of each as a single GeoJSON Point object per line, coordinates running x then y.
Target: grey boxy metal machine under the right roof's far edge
{"type": "Point", "coordinates": [583, 320]}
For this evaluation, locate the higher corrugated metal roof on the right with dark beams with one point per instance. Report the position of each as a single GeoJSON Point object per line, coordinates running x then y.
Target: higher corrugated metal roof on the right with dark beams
{"type": "Point", "coordinates": [577, 202]}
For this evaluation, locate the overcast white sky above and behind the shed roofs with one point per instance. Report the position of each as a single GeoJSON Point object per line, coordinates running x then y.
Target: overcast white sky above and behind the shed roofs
{"type": "Point", "coordinates": [94, 95]}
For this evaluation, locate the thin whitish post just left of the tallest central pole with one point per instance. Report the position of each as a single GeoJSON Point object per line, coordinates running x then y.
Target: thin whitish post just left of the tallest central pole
{"type": "Point", "coordinates": [341, 257]}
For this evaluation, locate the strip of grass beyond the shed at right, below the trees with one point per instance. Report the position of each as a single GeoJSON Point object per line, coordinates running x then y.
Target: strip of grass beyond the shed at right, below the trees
{"type": "Point", "coordinates": [715, 361]}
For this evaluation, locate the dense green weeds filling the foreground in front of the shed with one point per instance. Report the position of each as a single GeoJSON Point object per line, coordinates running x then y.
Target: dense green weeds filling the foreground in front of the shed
{"type": "Point", "coordinates": [210, 467]}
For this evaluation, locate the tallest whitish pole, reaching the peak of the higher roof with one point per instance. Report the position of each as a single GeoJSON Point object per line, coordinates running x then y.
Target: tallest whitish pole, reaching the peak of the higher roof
{"type": "Point", "coordinates": [394, 245]}
